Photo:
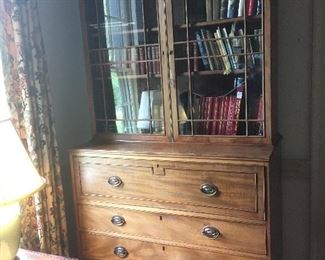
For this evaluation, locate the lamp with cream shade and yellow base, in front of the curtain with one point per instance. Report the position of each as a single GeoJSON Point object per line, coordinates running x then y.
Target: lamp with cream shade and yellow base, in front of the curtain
{"type": "Point", "coordinates": [18, 180]}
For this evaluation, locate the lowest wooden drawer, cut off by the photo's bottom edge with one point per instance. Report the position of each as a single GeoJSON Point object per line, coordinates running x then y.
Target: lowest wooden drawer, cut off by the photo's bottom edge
{"type": "Point", "coordinates": [96, 246]}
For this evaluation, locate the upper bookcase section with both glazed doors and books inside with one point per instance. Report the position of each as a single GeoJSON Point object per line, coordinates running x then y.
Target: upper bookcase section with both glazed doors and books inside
{"type": "Point", "coordinates": [180, 70]}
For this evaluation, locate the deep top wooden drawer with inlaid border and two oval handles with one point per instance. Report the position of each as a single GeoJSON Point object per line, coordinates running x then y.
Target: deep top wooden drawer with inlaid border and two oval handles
{"type": "Point", "coordinates": [239, 191]}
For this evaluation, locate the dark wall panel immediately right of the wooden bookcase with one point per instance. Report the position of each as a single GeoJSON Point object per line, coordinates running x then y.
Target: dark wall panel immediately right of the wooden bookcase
{"type": "Point", "coordinates": [294, 84]}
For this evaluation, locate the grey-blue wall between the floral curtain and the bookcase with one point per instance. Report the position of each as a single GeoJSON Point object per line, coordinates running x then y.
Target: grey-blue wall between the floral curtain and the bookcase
{"type": "Point", "coordinates": [60, 20]}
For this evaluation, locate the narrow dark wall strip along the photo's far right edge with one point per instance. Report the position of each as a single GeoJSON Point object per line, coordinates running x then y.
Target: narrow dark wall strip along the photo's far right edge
{"type": "Point", "coordinates": [317, 238]}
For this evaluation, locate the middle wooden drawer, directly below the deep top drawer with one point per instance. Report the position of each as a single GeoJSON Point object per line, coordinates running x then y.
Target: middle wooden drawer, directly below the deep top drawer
{"type": "Point", "coordinates": [181, 230]}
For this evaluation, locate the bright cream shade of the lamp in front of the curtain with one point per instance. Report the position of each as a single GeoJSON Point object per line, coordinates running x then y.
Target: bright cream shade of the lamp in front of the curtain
{"type": "Point", "coordinates": [18, 176]}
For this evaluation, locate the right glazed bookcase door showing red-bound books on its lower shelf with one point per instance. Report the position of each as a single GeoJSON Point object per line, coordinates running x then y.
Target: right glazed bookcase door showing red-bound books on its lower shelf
{"type": "Point", "coordinates": [218, 62]}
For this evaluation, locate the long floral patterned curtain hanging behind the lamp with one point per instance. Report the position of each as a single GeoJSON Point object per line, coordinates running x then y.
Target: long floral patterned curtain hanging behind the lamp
{"type": "Point", "coordinates": [27, 87]}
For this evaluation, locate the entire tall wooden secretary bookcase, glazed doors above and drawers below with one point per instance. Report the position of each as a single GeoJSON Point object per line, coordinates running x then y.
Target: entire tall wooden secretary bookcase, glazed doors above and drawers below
{"type": "Point", "coordinates": [184, 161]}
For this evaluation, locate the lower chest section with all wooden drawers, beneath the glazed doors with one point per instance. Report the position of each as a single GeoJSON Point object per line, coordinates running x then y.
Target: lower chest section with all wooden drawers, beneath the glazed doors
{"type": "Point", "coordinates": [145, 205]}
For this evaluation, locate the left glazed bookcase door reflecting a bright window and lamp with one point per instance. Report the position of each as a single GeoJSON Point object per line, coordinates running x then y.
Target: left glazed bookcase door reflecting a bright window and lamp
{"type": "Point", "coordinates": [123, 43]}
